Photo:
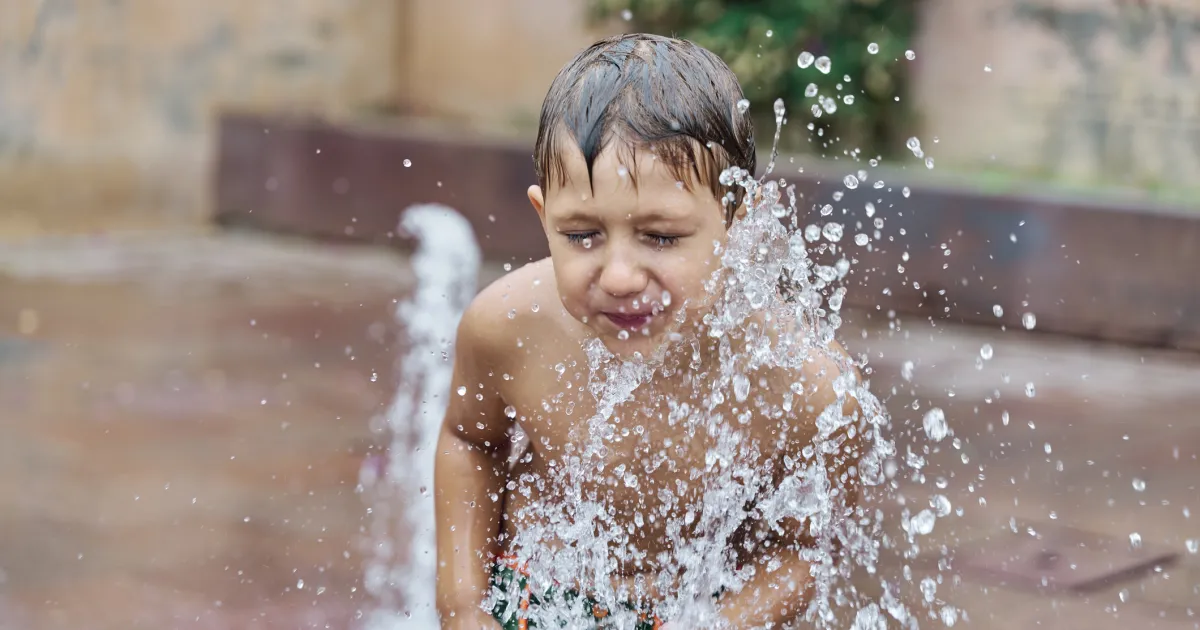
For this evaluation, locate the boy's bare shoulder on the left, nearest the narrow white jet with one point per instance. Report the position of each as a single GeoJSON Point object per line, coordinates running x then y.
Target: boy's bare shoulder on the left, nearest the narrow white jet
{"type": "Point", "coordinates": [505, 310]}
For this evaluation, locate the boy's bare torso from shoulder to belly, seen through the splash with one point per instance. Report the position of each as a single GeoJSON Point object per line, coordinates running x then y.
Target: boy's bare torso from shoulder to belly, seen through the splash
{"type": "Point", "coordinates": [655, 467]}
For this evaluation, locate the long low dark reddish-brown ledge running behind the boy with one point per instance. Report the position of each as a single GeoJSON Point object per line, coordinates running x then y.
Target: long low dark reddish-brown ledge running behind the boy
{"type": "Point", "coordinates": [1121, 272]}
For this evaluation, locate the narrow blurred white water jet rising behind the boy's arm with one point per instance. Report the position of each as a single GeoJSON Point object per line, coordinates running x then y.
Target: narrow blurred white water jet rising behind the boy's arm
{"type": "Point", "coordinates": [446, 266]}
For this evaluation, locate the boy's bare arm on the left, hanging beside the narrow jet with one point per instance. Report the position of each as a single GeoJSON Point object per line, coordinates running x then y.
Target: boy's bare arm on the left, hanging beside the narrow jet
{"type": "Point", "coordinates": [470, 478]}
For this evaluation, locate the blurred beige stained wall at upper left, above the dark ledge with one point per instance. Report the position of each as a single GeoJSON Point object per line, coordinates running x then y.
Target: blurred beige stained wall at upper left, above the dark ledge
{"type": "Point", "coordinates": [107, 109]}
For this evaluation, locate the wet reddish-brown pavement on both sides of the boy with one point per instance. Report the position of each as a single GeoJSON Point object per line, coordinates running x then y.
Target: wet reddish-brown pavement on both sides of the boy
{"type": "Point", "coordinates": [183, 422]}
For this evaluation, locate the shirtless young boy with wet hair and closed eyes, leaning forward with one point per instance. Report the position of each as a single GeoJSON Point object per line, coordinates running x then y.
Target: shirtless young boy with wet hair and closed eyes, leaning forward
{"type": "Point", "coordinates": [634, 136]}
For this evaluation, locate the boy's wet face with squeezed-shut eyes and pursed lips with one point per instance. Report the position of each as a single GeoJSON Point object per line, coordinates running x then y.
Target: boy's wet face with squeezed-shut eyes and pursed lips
{"type": "Point", "coordinates": [628, 260]}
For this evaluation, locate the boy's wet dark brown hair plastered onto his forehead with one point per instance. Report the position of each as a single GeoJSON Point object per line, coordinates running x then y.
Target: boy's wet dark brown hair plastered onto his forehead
{"type": "Point", "coordinates": [646, 92]}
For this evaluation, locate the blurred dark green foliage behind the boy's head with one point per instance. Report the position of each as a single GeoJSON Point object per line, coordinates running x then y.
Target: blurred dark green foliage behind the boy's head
{"type": "Point", "coordinates": [761, 41]}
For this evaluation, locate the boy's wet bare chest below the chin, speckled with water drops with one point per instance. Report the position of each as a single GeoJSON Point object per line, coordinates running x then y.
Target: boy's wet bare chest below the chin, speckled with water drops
{"type": "Point", "coordinates": [650, 460]}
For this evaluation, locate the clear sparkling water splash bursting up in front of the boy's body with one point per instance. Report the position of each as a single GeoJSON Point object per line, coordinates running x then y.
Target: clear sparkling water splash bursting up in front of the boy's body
{"type": "Point", "coordinates": [767, 284]}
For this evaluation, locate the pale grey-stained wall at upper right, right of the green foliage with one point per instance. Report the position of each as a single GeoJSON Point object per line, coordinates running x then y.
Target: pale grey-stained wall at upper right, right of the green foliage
{"type": "Point", "coordinates": [1079, 91]}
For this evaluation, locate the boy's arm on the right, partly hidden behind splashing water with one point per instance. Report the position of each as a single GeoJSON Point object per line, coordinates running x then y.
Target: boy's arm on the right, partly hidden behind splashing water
{"type": "Point", "coordinates": [782, 596]}
